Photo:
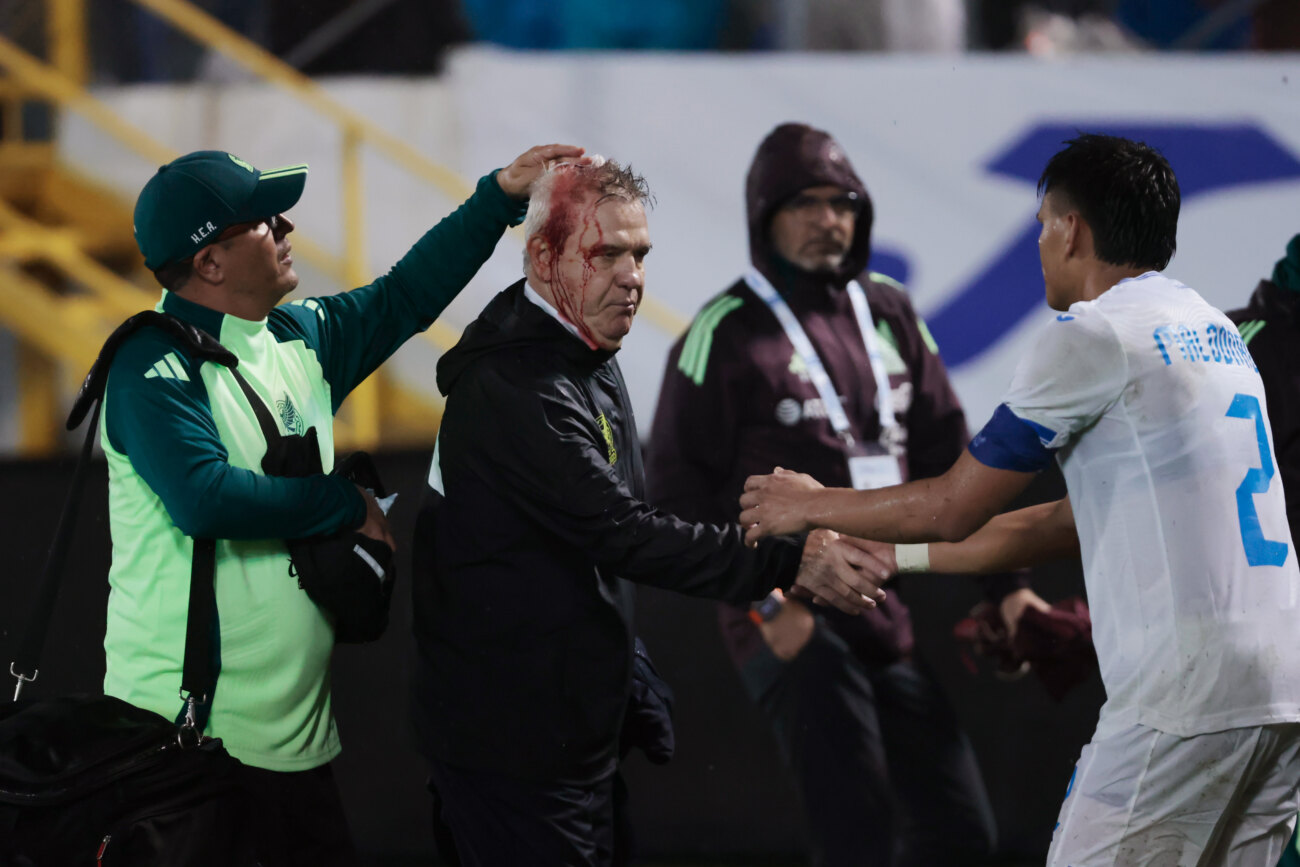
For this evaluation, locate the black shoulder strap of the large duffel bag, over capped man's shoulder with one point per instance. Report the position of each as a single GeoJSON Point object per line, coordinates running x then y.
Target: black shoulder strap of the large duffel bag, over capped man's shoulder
{"type": "Point", "coordinates": [200, 674]}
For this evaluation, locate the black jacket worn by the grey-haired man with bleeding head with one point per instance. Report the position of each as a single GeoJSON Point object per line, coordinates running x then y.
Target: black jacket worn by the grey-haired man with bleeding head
{"type": "Point", "coordinates": [523, 604]}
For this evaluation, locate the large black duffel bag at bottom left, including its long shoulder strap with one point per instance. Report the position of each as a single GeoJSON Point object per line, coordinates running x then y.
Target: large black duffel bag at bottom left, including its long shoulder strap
{"type": "Point", "coordinates": [93, 779]}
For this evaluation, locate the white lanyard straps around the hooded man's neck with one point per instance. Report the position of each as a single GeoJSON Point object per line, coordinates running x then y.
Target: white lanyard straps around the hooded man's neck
{"type": "Point", "coordinates": [813, 362]}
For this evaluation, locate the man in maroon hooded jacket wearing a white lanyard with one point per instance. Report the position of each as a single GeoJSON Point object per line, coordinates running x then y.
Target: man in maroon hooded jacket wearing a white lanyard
{"type": "Point", "coordinates": [873, 744]}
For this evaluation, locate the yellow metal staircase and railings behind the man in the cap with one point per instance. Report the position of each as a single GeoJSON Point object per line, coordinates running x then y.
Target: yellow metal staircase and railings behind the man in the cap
{"type": "Point", "coordinates": [70, 268]}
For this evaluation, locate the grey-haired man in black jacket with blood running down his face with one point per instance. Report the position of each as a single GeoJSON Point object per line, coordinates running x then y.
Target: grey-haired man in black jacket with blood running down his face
{"type": "Point", "coordinates": [535, 532]}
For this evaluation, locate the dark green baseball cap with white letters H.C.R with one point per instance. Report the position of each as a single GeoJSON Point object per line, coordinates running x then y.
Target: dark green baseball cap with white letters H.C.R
{"type": "Point", "coordinates": [196, 197]}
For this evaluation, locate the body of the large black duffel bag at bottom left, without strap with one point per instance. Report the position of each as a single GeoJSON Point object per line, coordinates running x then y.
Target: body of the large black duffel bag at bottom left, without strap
{"type": "Point", "coordinates": [94, 781]}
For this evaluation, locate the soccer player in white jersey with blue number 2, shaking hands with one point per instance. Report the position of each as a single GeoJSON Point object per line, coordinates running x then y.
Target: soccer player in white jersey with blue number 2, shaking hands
{"type": "Point", "coordinates": [1151, 404]}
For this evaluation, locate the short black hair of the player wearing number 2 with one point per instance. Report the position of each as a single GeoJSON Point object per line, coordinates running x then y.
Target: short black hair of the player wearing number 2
{"type": "Point", "coordinates": [1126, 193]}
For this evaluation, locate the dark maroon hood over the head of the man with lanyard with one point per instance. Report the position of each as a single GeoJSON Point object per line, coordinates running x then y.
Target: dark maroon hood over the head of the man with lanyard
{"type": "Point", "coordinates": [794, 158]}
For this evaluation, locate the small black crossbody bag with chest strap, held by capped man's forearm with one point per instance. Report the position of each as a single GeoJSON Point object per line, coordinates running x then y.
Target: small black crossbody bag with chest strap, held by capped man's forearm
{"type": "Point", "coordinates": [349, 575]}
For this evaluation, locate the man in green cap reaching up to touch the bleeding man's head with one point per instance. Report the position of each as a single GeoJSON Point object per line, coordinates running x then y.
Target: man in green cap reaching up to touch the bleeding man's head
{"type": "Point", "coordinates": [185, 454]}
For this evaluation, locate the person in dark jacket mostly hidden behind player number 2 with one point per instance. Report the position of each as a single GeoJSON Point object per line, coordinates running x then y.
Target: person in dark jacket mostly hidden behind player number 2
{"type": "Point", "coordinates": [1271, 328]}
